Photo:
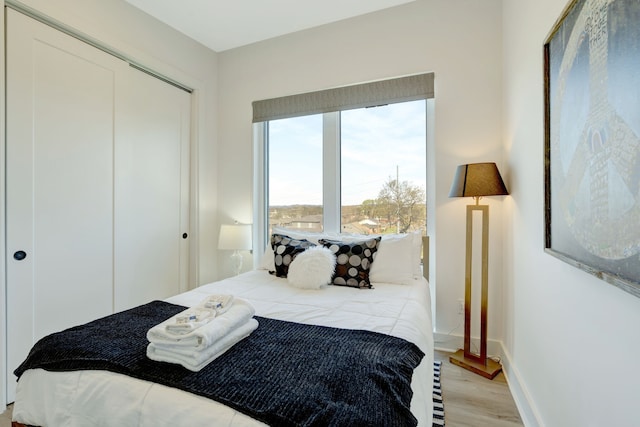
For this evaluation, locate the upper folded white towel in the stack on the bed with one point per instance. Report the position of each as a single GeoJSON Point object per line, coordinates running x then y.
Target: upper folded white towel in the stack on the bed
{"type": "Point", "coordinates": [237, 314]}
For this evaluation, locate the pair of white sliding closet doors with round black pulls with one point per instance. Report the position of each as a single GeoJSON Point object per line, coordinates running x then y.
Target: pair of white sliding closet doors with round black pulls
{"type": "Point", "coordinates": [97, 185]}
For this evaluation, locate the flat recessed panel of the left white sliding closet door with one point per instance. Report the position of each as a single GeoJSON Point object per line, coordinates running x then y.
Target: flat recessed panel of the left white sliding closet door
{"type": "Point", "coordinates": [72, 188]}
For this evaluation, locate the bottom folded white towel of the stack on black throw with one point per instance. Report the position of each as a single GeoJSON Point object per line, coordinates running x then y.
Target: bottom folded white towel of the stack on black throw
{"type": "Point", "coordinates": [196, 360]}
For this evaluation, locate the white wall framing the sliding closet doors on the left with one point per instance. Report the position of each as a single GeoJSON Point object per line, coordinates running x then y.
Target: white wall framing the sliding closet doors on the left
{"type": "Point", "coordinates": [155, 45]}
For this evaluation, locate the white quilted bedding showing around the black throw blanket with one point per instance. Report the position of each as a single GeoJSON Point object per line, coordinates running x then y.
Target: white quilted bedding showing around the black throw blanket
{"type": "Point", "coordinates": [92, 398]}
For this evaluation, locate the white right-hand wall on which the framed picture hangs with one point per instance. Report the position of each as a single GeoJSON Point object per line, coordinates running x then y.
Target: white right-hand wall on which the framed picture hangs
{"type": "Point", "coordinates": [572, 339]}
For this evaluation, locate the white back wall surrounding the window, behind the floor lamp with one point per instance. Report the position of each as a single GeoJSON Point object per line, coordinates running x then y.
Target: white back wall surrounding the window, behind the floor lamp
{"type": "Point", "coordinates": [459, 40]}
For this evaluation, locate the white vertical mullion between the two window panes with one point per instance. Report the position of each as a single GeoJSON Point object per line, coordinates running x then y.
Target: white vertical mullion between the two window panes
{"type": "Point", "coordinates": [331, 171]}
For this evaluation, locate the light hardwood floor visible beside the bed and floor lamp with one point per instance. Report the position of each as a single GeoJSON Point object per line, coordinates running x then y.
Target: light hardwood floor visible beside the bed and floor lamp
{"type": "Point", "coordinates": [469, 399]}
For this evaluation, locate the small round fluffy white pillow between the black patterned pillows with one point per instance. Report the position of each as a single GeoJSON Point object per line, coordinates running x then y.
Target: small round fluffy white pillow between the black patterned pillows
{"type": "Point", "coordinates": [312, 269]}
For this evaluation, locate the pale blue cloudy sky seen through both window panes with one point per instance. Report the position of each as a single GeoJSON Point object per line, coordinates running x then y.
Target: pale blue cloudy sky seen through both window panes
{"type": "Point", "coordinates": [376, 144]}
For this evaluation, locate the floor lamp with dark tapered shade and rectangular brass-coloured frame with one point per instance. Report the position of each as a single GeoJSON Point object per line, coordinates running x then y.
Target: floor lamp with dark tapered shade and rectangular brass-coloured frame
{"type": "Point", "coordinates": [477, 180]}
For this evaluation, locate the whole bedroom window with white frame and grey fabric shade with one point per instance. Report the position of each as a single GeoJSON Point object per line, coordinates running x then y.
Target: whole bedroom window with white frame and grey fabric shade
{"type": "Point", "coordinates": [358, 167]}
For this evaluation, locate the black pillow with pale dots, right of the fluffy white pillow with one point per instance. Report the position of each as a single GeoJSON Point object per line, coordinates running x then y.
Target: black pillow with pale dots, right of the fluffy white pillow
{"type": "Point", "coordinates": [353, 261]}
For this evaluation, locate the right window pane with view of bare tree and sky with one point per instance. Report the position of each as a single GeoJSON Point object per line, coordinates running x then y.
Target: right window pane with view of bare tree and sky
{"type": "Point", "coordinates": [383, 168]}
